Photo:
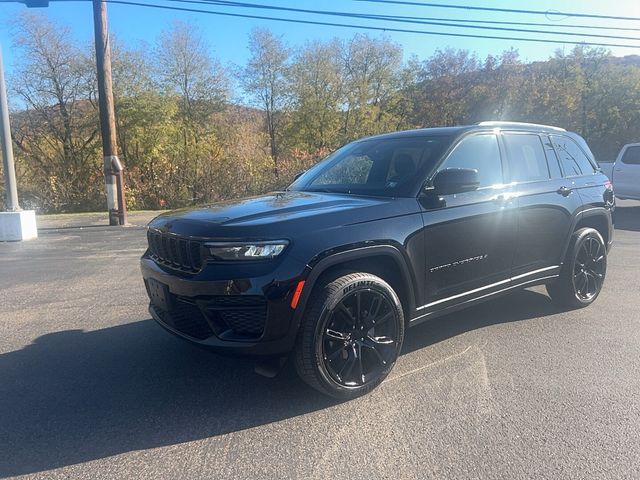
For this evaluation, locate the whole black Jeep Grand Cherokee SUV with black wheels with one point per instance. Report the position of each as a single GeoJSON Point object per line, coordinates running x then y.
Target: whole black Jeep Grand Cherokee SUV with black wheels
{"type": "Point", "coordinates": [385, 233]}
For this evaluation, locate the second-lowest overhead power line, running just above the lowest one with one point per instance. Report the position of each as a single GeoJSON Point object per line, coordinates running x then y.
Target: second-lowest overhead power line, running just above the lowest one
{"type": "Point", "coordinates": [399, 19]}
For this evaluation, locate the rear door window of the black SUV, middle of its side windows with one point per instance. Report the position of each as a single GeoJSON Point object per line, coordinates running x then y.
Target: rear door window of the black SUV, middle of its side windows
{"type": "Point", "coordinates": [527, 161]}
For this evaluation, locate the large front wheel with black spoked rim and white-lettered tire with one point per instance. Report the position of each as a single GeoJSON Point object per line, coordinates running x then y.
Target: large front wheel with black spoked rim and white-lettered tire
{"type": "Point", "coordinates": [351, 335]}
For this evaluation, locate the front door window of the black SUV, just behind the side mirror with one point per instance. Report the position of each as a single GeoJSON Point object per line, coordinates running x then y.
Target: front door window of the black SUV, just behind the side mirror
{"type": "Point", "coordinates": [481, 153]}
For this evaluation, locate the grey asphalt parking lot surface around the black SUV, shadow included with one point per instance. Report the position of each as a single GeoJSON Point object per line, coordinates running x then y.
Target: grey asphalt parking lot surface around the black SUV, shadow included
{"type": "Point", "coordinates": [91, 387]}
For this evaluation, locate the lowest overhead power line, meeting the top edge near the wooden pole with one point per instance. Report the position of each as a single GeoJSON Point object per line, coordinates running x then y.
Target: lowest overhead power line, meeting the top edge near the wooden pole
{"type": "Point", "coordinates": [370, 27]}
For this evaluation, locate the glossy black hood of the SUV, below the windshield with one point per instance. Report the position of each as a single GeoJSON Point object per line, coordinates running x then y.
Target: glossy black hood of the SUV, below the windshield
{"type": "Point", "coordinates": [274, 214]}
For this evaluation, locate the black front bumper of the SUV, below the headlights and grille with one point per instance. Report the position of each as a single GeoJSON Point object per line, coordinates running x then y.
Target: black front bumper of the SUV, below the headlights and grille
{"type": "Point", "coordinates": [232, 309]}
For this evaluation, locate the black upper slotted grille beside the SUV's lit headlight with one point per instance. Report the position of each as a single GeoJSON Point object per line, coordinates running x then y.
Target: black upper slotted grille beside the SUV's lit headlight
{"type": "Point", "coordinates": [174, 251]}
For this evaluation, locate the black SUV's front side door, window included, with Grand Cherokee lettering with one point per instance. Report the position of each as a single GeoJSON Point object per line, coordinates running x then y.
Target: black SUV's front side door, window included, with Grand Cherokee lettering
{"type": "Point", "coordinates": [470, 237]}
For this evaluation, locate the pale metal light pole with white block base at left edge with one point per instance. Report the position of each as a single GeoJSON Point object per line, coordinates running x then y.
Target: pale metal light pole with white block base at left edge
{"type": "Point", "coordinates": [15, 223]}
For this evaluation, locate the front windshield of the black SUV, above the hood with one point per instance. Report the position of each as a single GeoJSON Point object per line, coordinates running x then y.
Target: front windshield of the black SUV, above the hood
{"type": "Point", "coordinates": [381, 167]}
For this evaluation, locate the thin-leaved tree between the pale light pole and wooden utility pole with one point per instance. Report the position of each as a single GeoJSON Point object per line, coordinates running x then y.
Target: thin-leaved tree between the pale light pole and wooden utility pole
{"type": "Point", "coordinates": [57, 133]}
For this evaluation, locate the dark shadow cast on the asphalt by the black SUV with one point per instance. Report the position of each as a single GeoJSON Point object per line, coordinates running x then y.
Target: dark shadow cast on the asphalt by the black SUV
{"type": "Point", "coordinates": [74, 396]}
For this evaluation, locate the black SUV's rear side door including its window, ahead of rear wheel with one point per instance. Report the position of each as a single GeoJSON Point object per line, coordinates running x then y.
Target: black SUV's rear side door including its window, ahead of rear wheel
{"type": "Point", "coordinates": [546, 204]}
